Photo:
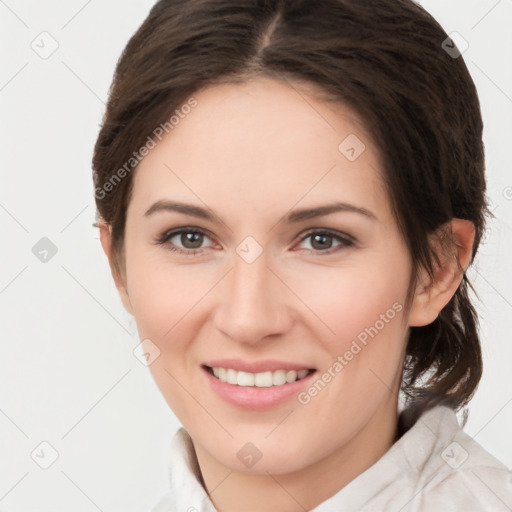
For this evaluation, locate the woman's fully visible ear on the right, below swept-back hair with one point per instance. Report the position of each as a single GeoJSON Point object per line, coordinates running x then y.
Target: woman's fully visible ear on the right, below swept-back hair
{"type": "Point", "coordinates": [432, 294]}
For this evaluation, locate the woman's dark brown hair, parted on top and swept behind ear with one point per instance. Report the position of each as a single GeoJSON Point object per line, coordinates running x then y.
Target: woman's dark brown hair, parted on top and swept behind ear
{"type": "Point", "coordinates": [384, 59]}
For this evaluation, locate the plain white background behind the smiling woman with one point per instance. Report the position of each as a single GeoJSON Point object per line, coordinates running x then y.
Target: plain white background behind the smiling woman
{"type": "Point", "coordinates": [68, 375]}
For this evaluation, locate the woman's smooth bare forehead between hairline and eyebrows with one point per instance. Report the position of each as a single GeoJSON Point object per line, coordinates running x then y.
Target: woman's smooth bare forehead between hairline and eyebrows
{"type": "Point", "coordinates": [262, 145]}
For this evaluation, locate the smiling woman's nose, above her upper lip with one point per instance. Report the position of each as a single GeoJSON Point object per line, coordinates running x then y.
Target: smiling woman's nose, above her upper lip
{"type": "Point", "coordinates": [252, 305]}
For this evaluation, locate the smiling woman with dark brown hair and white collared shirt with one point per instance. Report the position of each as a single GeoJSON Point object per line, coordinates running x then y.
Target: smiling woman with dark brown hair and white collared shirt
{"type": "Point", "coordinates": [289, 194]}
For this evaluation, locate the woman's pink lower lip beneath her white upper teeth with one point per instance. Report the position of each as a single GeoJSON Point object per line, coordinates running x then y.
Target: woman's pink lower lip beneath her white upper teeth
{"type": "Point", "coordinates": [254, 398]}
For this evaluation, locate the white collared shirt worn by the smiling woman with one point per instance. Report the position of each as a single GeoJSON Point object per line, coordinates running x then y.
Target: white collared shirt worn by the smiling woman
{"type": "Point", "coordinates": [435, 466]}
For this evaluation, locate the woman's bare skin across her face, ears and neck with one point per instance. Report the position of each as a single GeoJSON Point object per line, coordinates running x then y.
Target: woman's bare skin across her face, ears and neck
{"type": "Point", "coordinates": [251, 153]}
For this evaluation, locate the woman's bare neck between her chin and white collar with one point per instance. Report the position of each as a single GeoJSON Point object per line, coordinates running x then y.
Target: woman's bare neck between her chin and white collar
{"type": "Point", "coordinates": [232, 491]}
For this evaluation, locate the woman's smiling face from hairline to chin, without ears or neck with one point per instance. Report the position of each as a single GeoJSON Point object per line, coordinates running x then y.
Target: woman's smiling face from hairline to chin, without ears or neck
{"type": "Point", "coordinates": [257, 280]}
